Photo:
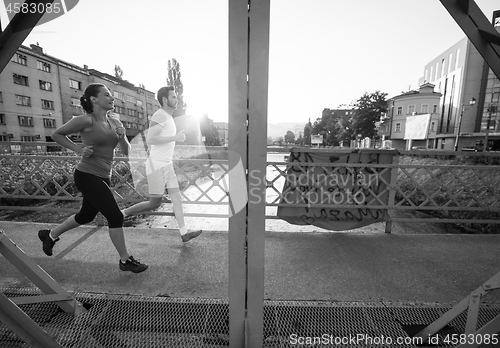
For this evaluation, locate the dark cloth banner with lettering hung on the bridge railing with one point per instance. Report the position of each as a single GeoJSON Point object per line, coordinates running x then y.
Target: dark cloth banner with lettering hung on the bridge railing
{"type": "Point", "coordinates": [336, 198]}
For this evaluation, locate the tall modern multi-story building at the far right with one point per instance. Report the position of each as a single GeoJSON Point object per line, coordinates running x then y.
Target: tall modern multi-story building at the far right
{"type": "Point", "coordinates": [461, 75]}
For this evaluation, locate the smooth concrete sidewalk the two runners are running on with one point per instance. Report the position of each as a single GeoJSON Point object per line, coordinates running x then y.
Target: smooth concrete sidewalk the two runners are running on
{"type": "Point", "coordinates": [427, 268]}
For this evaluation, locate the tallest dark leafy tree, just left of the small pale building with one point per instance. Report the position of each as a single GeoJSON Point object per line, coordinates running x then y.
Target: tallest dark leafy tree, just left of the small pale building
{"type": "Point", "coordinates": [368, 110]}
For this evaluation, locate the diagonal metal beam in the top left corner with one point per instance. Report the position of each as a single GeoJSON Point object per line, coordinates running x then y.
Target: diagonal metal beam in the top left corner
{"type": "Point", "coordinates": [18, 30]}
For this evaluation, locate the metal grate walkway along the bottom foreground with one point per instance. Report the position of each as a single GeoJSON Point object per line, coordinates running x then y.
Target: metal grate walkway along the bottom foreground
{"type": "Point", "coordinates": [125, 321]}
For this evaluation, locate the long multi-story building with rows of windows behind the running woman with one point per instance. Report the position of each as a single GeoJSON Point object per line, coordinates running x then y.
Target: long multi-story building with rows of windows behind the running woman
{"type": "Point", "coordinates": [39, 93]}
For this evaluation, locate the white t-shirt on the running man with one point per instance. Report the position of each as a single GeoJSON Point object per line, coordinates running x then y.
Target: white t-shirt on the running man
{"type": "Point", "coordinates": [163, 152]}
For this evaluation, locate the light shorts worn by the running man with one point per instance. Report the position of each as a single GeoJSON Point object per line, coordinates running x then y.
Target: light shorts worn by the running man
{"type": "Point", "coordinates": [160, 175]}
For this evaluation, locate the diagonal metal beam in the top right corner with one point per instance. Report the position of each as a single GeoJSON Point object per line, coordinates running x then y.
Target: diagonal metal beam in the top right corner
{"type": "Point", "coordinates": [478, 29]}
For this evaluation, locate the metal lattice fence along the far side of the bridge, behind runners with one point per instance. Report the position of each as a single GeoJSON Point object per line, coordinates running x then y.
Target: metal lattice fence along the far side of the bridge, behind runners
{"type": "Point", "coordinates": [423, 186]}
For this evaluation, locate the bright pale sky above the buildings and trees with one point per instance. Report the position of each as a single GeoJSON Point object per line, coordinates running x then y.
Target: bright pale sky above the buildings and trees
{"type": "Point", "coordinates": [322, 53]}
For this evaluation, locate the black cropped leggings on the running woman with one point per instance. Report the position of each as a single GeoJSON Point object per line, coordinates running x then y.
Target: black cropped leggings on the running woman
{"type": "Point", "coordinates": [97, 197]}
